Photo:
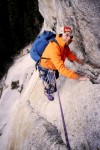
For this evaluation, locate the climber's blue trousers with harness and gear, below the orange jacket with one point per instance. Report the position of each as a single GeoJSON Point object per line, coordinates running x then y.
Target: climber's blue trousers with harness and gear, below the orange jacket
{"type": "Point", "coordinates": [48, 77]}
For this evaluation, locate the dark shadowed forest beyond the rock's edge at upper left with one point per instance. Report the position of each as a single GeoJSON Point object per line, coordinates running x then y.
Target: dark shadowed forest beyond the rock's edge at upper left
{"type": "Point", "coordinates": [20, 22]}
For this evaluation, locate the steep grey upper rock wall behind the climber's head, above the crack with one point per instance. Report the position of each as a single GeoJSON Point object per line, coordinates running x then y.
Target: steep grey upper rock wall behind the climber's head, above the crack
{"type": "Point", "coordinates": [83, 17]}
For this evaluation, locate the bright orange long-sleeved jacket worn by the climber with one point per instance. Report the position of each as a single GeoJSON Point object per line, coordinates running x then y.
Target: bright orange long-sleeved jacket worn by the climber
{"type": "Point", "coordinates": [57, 56]}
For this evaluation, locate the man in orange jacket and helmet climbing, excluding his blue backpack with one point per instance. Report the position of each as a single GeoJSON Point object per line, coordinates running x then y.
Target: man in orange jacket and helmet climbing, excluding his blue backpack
{"type": "Point", "coordinates": [56, 53]}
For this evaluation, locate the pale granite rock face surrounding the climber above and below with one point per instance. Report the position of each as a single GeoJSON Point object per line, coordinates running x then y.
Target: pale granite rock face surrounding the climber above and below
{"type": "Point", "coordinates": [28, 120]}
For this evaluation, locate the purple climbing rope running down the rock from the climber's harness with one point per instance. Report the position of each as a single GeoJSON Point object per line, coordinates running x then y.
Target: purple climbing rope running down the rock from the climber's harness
{"type": "Point", "coordinates": [63, 122]}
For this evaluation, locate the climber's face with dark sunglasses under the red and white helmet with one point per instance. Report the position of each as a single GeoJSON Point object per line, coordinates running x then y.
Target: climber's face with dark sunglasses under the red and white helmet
{"type": "Point", "coordinates": [67, 37]}
